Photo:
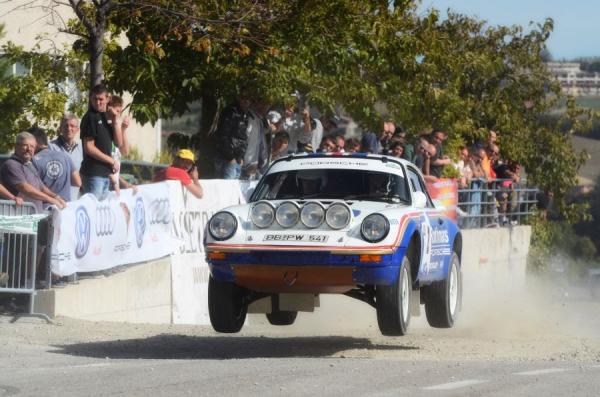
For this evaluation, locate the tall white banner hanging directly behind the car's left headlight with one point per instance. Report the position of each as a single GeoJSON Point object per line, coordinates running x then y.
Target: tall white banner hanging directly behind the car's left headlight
{"type": "Point", "coordinates": [188, 263]}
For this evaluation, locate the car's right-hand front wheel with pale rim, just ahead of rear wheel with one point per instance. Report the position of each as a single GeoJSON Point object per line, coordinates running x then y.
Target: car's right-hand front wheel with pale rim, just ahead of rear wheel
{"type": "Point", "coordinates": [393, 303]}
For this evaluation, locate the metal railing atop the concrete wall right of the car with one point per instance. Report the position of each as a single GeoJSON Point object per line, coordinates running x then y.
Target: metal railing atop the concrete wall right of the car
{"type": "Point", "coordinates": [500, 202]}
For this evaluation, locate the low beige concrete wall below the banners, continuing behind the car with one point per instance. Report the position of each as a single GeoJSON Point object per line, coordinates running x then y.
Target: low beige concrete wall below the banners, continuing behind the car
{"type": "Point", "coordinates": [492, 259]}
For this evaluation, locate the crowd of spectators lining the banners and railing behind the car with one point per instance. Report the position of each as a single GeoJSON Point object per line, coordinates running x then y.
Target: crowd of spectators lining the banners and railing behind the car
{"type": "Point", "coordinates": [249, 137]}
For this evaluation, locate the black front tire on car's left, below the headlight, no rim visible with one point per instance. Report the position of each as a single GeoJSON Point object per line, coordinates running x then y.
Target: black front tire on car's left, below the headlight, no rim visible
{"type": "Point", "coordinates": [226, 306]}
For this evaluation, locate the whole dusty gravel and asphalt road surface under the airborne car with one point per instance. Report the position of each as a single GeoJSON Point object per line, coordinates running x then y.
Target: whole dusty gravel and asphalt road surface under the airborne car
{"type": "Point", "coordinates": [513, 348]}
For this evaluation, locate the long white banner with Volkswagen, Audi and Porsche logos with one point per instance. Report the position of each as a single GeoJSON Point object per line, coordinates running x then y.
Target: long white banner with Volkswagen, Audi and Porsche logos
{"type": "Point", "coordinates": [90, 235]}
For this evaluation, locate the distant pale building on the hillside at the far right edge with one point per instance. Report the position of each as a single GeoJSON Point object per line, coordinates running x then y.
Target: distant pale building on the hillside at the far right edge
{"type": "Point", "coordinates": [573, 80]}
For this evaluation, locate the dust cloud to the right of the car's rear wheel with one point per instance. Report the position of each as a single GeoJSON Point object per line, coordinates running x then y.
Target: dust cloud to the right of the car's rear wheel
{"type": "Point", "coordinates": [538, 304]}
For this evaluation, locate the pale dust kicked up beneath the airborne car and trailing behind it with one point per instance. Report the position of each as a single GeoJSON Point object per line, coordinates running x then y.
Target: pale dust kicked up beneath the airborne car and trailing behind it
{"type": "Point", "coordinates": [495, 304]}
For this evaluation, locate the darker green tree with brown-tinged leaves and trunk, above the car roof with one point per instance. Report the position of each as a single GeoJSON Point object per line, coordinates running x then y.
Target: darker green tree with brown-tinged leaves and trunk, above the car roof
{"type": "Point", "coordinates": [307, 46]}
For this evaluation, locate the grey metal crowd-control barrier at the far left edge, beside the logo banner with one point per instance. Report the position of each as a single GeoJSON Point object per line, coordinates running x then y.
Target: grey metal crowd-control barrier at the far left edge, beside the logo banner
{"type": "Point", "coordinates": [19, 257]}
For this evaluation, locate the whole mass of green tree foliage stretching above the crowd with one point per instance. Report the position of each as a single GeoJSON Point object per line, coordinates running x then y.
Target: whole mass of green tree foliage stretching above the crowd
{"type": "Point", "coordinates": [455, 73]}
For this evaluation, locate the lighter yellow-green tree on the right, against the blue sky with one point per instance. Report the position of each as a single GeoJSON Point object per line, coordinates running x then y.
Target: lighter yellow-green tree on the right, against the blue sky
{"type": "Point", "coordinates": [478, 78]}
